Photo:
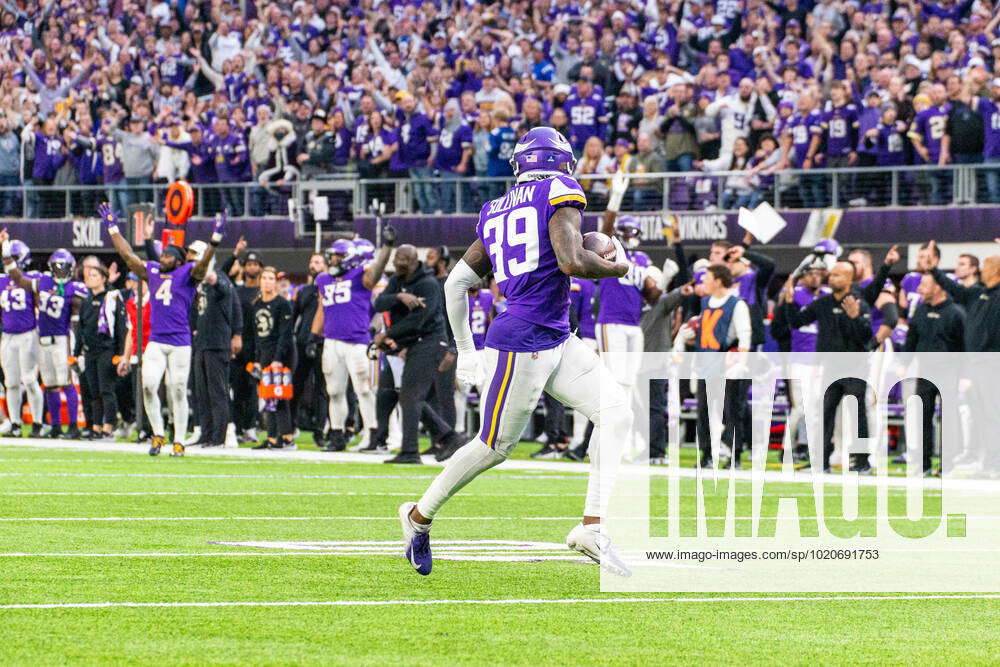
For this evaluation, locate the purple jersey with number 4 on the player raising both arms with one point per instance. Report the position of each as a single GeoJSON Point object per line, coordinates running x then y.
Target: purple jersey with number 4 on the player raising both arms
{"type": "Point", "coordinates": [173, 293]}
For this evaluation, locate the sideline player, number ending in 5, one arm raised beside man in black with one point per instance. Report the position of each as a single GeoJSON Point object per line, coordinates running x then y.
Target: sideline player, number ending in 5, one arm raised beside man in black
{"type": "Point", "coordinates": [343, 320]}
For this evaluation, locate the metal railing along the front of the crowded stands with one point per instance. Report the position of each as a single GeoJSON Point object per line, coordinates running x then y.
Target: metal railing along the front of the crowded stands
{"type": "Point", "coordinates": [348, 196]}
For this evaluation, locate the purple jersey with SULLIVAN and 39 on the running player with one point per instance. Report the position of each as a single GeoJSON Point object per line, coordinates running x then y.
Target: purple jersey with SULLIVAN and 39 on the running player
{"type": "Point", "coordinates": [514, 229]}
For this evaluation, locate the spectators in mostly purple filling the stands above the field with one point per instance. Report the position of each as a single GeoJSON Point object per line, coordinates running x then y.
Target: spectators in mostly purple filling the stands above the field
{"type": "Point", "coordinates": [127, 93]}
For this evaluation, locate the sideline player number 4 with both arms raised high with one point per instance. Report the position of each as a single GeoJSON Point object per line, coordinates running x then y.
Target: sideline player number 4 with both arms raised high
{"type": "Point", "coordinates": [172, 282]}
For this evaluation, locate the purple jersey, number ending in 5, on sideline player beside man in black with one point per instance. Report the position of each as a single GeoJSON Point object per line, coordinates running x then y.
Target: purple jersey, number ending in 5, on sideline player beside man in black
{"type": "Point", "coordinates": [346, 306]}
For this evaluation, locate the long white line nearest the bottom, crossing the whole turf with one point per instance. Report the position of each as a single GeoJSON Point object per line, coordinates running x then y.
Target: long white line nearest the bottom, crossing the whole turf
{"type": "Point", "coordinates": [513, 601]}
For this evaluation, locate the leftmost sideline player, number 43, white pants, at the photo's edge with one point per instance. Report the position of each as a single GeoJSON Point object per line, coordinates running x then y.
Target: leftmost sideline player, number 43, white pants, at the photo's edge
{"type": "Point", "coordinates": [19, 345]}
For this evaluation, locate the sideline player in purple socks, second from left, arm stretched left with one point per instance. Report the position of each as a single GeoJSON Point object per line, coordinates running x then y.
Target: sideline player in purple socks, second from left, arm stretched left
{"type": "Point", "coordinates": [58, 300]}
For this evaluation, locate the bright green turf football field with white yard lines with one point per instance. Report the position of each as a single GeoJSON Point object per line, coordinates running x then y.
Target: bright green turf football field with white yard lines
{"type": "Point", "coordinates": [117, 557]}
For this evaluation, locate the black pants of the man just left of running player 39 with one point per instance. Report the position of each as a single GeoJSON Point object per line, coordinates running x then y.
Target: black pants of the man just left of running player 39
{"type": "Point", "coordinates": [419, 371]}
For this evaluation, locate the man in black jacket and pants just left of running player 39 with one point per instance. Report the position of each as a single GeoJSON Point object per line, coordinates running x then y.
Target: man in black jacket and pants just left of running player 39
{"type": "Point", "coordinates": [415, 302]}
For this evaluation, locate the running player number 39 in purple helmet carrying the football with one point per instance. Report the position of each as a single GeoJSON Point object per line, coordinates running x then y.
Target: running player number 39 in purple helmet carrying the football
{"type": "Point", "coordinates": [530, 239]}
